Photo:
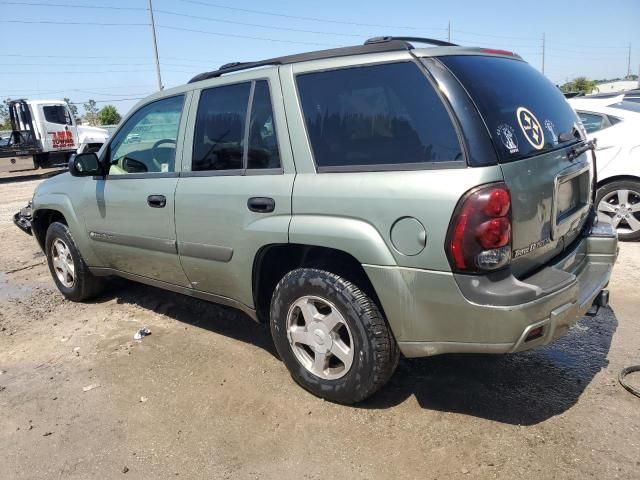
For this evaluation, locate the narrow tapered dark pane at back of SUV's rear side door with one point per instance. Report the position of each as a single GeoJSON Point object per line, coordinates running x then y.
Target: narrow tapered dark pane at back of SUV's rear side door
{"type": "Point", "coordinates": [263, 144]}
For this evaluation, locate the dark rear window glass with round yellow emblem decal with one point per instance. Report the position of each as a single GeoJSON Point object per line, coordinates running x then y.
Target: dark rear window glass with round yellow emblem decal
{"type": "Point", "coordinates": [525, 113]}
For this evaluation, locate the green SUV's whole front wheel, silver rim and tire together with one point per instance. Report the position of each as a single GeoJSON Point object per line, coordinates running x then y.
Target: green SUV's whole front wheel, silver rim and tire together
{"type": "Point", "coordinates": [70, 274]}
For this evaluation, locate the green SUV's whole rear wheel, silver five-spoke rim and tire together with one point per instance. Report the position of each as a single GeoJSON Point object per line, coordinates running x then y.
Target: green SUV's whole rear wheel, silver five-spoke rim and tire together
{"type": "Point", "coordinates": [331, 336]}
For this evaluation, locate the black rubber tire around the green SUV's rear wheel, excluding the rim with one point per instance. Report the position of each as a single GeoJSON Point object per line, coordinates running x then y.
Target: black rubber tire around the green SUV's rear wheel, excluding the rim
{"type": "Point", "coordinates": [375, 352]}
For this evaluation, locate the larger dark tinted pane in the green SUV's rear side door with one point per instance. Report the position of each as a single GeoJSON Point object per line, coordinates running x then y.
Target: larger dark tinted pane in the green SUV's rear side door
{"type": "Point", "coordinates": [218, 143]}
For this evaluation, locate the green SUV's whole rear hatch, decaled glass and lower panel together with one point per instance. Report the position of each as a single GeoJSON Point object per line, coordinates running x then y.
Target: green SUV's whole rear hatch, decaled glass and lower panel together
{"type": "Point", "coordinates": [533, 129]}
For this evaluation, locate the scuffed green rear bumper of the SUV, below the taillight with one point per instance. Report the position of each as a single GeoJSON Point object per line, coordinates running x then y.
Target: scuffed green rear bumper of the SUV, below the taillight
{"type": "Point", "coordinates": [430, 313]}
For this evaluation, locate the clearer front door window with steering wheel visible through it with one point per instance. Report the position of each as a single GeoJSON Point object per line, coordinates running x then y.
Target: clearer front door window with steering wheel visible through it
{"type": "Point", "coordinates": [147, 141]}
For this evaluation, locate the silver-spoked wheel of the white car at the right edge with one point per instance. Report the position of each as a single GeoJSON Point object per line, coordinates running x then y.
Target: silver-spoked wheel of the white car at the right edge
{"type": "Point", "coordinates": [619, 203]}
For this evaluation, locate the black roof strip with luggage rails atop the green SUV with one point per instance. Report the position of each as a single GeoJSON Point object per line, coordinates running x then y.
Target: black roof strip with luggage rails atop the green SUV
{"type": "Point", "coordinates": [373, 45]}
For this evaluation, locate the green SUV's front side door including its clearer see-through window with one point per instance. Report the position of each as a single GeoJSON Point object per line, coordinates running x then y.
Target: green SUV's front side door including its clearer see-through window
{"type": "Point", "coordinates": [129, 215]}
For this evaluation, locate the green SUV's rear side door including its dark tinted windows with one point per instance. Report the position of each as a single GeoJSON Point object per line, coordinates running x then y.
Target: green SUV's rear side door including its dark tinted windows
{"type": "Point", "coordinates": [234, 194]}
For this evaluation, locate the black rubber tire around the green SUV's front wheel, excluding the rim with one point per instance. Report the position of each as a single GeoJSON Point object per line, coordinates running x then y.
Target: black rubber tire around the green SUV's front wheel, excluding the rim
{"type": "Point", "coordinates": [85, 284]}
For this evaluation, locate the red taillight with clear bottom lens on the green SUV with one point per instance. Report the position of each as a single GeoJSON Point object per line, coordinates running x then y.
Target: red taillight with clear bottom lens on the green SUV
{"type": "Point", "coordinates": [479, 237]}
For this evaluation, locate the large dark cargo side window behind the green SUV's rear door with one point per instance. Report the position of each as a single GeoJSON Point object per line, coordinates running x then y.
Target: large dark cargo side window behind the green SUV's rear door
{"type": "Point", "coordinates": [376, 115]}
